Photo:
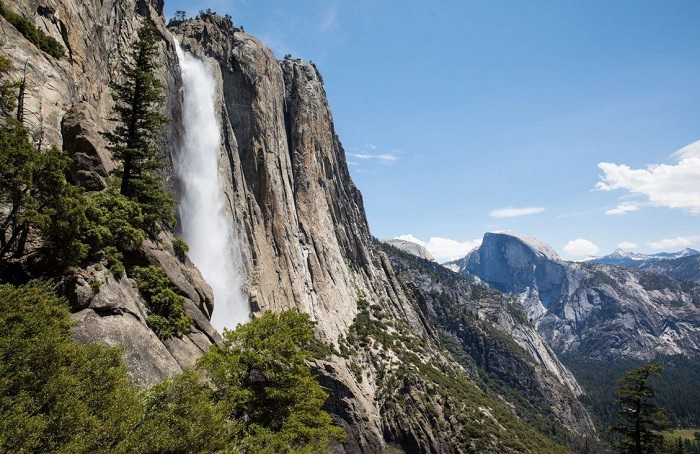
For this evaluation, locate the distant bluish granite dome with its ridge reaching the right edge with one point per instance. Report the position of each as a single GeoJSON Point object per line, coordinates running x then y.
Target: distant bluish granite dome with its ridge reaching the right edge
{"type": "Point", "coordinates": [593, 310]}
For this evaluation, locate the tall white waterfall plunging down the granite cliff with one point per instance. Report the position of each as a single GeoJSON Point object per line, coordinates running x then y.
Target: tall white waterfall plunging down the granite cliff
{"type": "Point", "coordinates": [202, 221]}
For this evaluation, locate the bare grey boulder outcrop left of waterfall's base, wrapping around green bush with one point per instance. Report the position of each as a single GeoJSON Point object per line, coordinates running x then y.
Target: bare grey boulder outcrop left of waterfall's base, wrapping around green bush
{"type": "Point", "coordinates": [111, 310]}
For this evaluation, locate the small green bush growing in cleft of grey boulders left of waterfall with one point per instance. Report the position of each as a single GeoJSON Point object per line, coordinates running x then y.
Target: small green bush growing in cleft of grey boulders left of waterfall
{"type": "Point", "coordinates": [168, 316]}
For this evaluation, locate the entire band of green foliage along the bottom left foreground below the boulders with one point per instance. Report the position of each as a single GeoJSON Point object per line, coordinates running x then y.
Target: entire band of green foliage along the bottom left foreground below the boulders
{"type": "Point", "coordinates": [57, 395]}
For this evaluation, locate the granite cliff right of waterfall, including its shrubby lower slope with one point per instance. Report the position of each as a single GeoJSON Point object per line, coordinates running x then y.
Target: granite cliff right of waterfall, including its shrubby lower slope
{"type": "Point", "coordinates": [306, 244]}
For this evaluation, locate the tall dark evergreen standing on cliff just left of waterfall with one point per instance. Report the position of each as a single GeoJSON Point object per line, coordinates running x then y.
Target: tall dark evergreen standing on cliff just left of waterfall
{"type": "Point", "coordinates": [139, 123]}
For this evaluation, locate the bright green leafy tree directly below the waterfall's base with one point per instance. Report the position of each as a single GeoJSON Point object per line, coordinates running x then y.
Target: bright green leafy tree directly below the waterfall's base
{"type": "Point", "coordinates": [260, 377]}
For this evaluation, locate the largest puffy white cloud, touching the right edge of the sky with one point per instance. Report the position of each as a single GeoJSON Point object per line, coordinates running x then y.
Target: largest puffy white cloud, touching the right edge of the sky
{"type": "Point", "coordinates": [672, 186]}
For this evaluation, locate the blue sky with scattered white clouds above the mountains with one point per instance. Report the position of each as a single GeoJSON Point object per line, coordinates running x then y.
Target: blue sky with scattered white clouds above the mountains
{"type": "Point", "coordinates": [556, 119]}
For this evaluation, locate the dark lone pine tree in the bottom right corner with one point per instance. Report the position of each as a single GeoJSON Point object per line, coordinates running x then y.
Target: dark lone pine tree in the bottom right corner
{"type": "Point", "coordinates": [641, 418]}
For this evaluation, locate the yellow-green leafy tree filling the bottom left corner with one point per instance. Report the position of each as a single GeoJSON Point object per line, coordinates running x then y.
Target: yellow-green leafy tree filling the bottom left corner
{"type": "Point", "coordinates": [57, 395]}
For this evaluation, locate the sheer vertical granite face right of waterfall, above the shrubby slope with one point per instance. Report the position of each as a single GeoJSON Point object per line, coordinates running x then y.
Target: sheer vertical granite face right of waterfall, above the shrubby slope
{"type": "Point", "coordinates": [305, 238]}
